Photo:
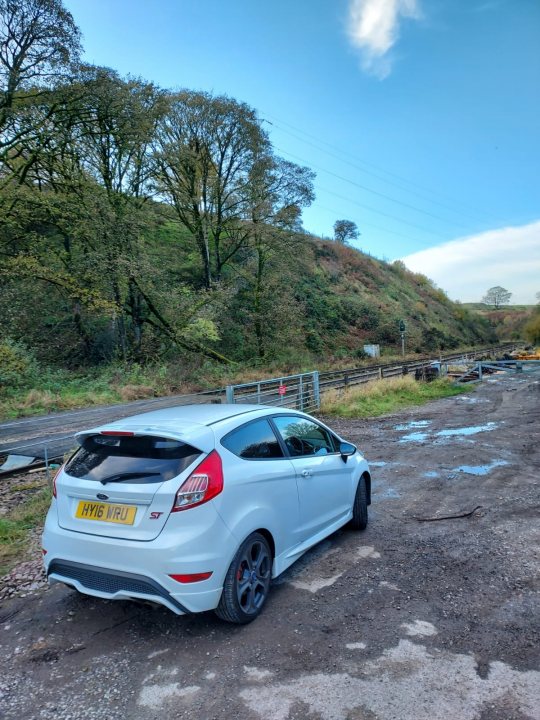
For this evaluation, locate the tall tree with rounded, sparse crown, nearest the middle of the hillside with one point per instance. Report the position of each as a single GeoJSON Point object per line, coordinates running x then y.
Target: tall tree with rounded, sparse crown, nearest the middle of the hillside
{"type": "Point", "coordinates": [205, 149]}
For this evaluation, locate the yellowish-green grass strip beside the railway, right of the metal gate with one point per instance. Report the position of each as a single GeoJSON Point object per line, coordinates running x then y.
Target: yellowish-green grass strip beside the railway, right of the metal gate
{"type": "Point", "coordinates": [385, 396]}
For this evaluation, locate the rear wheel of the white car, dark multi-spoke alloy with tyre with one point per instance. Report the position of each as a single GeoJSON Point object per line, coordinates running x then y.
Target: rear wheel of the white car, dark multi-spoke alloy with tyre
{"type": "Point", "coordinates": [247, 581]}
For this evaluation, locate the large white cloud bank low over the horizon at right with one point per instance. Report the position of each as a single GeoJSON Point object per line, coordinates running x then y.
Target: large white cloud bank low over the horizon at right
{"type": "Point", "coordinates": [469, 266]}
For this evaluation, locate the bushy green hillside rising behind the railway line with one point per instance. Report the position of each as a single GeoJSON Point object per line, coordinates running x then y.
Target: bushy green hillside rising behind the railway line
{"type": "Point", "coordinates": [302, 301]}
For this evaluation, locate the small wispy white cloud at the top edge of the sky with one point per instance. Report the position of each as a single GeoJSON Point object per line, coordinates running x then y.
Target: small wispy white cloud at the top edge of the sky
{"type": "Point", "coordinates": [373, 28]}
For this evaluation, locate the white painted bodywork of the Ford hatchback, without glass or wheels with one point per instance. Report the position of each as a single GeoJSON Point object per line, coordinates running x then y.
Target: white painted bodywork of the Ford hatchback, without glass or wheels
{"type": "Point", "coordinates": [297, 501]}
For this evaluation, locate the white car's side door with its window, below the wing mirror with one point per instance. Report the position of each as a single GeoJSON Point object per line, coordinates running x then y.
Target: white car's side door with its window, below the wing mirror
{"type": "Point", "coordinates": [324, 481]}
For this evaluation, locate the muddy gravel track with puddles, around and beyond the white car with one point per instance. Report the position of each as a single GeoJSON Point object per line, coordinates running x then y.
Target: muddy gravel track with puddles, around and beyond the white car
{"type": "Point", "coordinates": [410, 619]}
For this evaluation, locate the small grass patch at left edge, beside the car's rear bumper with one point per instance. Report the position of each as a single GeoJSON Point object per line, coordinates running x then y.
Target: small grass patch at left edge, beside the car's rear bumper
{"type": "Point", "coordinates": [17, 527]}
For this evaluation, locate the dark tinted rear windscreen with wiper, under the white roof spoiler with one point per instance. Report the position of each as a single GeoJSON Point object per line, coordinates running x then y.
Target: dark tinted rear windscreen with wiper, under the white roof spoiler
{"type": "Point", "coordinates": [145, 459]}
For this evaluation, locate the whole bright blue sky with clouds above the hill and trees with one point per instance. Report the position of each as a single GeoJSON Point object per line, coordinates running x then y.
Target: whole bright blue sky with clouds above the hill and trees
{"type": "Point", "coordinates": [420, 117]}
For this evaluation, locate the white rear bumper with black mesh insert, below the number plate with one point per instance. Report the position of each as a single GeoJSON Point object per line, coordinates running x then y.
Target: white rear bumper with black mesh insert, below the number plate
{"type": "Point", "coordinates": [116, 569]}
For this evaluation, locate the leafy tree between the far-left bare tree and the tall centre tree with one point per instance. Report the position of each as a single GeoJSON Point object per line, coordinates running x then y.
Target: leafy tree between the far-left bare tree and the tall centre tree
{"type": "Point", "coordinates": [95, 153]}
